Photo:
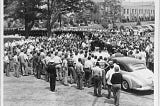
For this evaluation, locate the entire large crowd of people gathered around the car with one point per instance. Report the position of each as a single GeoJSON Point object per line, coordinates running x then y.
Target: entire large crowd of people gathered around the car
{"type": "Point", "coordinates": [74, 61]}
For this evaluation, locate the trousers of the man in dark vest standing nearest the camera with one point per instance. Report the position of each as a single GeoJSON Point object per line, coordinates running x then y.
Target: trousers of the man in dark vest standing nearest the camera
{"type": "Point", "coordinates": [116, 92]}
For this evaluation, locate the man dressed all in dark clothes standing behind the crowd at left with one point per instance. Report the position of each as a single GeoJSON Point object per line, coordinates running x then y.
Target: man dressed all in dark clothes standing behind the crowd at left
{"type": "Point", "coordinates": [51, 69]}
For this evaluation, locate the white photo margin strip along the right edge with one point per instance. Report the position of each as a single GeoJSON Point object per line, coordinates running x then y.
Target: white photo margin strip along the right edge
{"type": "Point", "coordinates": [156, 55]}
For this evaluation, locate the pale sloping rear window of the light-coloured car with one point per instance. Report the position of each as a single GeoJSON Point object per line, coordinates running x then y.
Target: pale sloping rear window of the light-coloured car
{"type": "Point", "coordinates": [137, 66]}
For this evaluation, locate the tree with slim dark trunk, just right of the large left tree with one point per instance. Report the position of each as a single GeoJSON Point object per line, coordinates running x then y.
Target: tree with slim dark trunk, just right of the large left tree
{"type": "Point", "coordinates": [57, 8]}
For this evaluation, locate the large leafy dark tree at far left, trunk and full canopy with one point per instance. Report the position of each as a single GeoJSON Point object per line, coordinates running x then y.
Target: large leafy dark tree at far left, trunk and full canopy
{"type": "Point", "coordinates": [27, 10]}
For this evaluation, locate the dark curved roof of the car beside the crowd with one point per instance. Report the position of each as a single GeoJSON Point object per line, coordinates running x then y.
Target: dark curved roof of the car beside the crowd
{"type": "Point", "coordinates": [128, 60]}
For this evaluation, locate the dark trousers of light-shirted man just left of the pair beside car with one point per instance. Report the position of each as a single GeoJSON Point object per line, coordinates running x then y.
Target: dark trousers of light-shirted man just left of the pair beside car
{"type": "Point", "coordinates": [97, 85]}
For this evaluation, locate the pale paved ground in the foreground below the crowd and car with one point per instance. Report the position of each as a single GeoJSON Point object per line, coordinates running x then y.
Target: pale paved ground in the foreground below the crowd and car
{"type": "Point", "coordinates": [29, 91]}
